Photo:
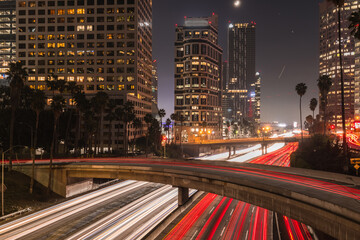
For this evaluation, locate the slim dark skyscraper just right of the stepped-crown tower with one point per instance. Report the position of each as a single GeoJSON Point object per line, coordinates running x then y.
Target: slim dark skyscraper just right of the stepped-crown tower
{"type": "Point", "coordinates": [241, 70]}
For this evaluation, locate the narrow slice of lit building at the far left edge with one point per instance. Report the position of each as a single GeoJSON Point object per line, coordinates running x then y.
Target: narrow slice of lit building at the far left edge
{"type": "Point", "coordinates": [7, 35]}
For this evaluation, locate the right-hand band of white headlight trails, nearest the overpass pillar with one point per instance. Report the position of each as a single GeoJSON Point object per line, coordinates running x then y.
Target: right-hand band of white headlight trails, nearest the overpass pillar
{"type": "Point", "coordinates": [135, 220]}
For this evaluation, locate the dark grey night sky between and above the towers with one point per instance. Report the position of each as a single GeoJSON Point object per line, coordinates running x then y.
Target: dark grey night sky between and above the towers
{"type": "Point", "coordinates": [287, 38]}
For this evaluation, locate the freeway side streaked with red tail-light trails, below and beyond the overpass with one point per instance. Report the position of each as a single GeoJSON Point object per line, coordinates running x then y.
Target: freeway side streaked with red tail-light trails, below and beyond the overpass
{"type": "Point", "coordinates": [216, 217]}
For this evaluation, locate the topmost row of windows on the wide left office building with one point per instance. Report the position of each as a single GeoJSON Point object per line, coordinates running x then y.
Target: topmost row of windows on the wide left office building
{"type": "Point", "coordinates": [72, 3]}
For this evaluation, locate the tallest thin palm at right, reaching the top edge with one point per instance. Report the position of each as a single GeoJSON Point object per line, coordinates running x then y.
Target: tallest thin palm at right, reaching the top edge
{"type": "Point", "coordinates": [339, 4]}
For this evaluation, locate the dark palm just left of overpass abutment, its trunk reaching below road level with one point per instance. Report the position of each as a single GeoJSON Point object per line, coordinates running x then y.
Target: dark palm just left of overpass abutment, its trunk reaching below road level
{"type": "Point", "coordinates": [57, 106]}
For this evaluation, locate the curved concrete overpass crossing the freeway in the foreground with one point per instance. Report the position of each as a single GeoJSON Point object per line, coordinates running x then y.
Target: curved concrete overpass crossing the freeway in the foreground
{"type": "Point", "coordinates": [326, 201]}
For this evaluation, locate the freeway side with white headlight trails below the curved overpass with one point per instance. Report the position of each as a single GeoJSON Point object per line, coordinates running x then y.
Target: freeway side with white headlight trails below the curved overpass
{"type": "Point", "coordinates": [68, 217]}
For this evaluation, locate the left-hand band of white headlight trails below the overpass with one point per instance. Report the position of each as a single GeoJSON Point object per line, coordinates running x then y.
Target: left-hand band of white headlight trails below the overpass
{"type": "Point", "coordinates": [47, 223]}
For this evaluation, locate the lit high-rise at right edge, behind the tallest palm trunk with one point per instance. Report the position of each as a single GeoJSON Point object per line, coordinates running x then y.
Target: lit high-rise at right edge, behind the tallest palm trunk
{"type": "Point", "coordinates": [329, 60]}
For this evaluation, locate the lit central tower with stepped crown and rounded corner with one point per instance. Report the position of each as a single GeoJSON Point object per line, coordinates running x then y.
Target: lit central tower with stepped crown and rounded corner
{"type": "Point", "coordinates": [198, 85]}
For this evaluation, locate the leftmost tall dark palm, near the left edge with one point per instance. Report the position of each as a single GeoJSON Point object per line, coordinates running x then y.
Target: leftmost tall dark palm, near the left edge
{"type": "Point", "coordinates": [16, 76]}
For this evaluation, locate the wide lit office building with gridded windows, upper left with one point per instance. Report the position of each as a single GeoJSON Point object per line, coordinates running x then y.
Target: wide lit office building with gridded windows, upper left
{"type": "Point", "coordinates": [102, 45]}
